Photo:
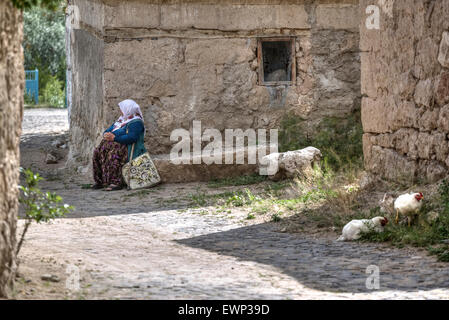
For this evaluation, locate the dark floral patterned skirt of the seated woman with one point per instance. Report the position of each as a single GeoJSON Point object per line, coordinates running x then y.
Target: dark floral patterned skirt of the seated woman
{"type": "Point", "coordinates": [109, 158]}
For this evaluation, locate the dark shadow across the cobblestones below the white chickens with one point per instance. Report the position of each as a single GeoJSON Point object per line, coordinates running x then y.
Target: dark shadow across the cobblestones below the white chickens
{"type": "Point", "coordinates": [323, 264]}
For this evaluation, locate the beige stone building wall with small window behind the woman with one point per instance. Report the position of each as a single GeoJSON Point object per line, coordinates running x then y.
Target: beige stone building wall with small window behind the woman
{"type": "Point", "coordinates": [227, 63]}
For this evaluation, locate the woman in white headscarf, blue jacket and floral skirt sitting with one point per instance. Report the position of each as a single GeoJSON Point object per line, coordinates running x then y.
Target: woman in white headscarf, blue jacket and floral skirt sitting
{"type": "Point", "coordinates": [114, 150]}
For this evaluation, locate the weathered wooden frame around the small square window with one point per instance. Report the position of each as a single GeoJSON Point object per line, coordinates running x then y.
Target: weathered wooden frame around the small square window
{"type": "Point", "coordinates": [261, 80]}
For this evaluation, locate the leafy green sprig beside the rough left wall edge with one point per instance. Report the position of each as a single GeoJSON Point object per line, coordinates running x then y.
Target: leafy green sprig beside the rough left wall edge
{"type": "Point", "coordinates": [40, 206]}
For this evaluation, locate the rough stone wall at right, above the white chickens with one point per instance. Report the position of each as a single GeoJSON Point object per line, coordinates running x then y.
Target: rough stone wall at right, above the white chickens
{"type": "Point", "coordinates": [405, 88]}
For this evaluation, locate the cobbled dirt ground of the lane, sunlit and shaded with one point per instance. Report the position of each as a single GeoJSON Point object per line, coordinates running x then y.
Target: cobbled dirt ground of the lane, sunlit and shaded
{"type": "Point", "coordinates": [158, 244]}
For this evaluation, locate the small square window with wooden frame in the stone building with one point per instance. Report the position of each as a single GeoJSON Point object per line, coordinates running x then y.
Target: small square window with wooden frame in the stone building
{"type": "Point", "coordinates": [276, 61]}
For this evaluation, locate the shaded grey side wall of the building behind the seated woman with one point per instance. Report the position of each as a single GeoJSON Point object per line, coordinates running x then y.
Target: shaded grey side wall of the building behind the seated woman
{"type": "Point", "coordinates": [85, 77]}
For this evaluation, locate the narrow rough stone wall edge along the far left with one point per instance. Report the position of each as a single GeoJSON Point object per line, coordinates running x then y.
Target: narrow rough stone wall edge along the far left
{"type": "Point", "coordinates": [11, 104]}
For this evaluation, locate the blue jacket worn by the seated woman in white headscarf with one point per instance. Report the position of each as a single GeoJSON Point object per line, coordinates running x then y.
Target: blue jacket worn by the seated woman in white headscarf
{"type": "Point", "coordinates": [133, 132]}
